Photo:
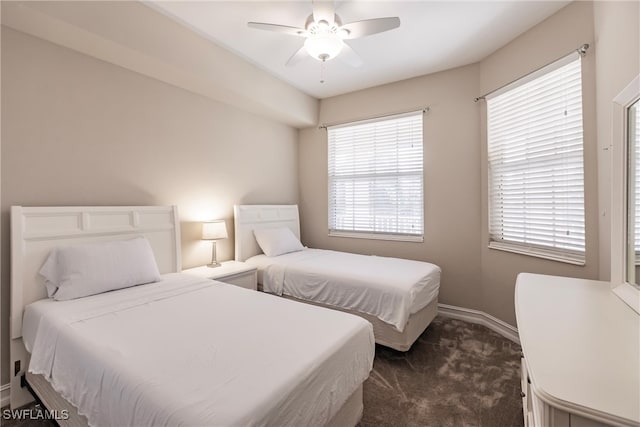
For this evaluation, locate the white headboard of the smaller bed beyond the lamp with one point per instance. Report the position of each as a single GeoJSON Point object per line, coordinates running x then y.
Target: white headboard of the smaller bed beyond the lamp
{"type": "Point", "coordinates": [250, 217]}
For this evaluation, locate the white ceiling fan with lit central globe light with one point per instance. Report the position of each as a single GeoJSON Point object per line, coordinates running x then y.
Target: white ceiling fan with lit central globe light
{"type": "Point", "coordinates": [325, 34]}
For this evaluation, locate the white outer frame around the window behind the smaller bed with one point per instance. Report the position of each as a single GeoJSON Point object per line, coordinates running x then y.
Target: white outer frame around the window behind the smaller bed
{"type": "Point", "coordinates": [372, 234]}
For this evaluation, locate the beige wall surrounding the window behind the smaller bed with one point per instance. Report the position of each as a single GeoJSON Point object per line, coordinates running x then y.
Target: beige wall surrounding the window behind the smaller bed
{"type": "Point", "coordinates": [451, 176]}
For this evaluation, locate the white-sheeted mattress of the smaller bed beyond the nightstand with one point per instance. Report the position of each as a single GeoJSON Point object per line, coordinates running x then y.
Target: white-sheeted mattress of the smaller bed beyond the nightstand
{"type": "Point", "coordinates": [390, 289]}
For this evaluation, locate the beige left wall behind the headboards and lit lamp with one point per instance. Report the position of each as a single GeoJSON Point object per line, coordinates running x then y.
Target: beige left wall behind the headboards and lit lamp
{"type": "Point", "coordinates": [79, 131]}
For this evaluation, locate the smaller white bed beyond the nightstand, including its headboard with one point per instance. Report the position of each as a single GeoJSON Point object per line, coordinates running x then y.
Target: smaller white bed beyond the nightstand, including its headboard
{"type": "Point", "coordinates": [399, 297]}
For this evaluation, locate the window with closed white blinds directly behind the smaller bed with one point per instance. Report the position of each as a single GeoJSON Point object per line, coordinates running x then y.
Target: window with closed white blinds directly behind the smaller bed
{"type": "Point", "coordinates": [375, 178]}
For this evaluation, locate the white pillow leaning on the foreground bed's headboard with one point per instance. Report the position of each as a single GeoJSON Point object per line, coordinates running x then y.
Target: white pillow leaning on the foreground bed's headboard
{"type": "Point", "coordinates": [77, 271]}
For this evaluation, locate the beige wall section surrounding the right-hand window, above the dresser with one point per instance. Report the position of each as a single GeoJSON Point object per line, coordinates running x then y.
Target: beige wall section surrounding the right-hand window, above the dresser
{"type": "Point", "coordinates": [553, 38]}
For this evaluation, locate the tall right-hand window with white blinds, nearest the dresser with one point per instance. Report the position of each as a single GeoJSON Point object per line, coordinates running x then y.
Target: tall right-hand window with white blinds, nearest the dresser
{"type": "Point", "coordinates": [535, 154]}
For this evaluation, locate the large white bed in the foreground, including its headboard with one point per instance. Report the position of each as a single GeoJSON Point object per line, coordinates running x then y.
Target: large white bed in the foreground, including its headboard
{"type": "Point", "coordinates": [181, 350]}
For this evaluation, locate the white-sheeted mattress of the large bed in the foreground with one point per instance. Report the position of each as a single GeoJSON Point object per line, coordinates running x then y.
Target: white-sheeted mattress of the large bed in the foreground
{"type": "Point", "coordinates": [190, 351]}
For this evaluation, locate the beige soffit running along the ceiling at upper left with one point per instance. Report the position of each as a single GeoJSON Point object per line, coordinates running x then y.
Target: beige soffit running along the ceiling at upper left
{"type": "Point", "coordinates": [133, 35]}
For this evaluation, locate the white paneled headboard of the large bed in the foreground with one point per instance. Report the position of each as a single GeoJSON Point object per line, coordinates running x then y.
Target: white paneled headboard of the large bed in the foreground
{"type": "Point", "coordinates": [37, 230]}
